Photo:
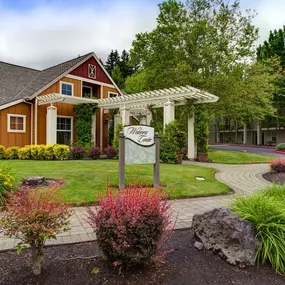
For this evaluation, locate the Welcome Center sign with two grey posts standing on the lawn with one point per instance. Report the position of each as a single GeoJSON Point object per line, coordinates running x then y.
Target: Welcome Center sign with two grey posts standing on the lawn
{"type": "Point", "coordinates": [138, 144]}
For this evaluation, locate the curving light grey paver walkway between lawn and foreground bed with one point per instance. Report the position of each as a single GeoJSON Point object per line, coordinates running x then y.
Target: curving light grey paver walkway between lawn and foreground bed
{"type": "Point", "coordinates": [243, 179]}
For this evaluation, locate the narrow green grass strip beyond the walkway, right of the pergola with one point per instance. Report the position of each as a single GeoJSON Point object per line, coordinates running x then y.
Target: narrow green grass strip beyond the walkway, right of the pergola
{"type": "Point", "coordinates": [236, 157]}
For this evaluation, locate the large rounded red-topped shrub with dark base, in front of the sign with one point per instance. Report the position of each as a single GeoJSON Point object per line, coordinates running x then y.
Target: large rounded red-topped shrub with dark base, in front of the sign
{"type": "Point", "coordinates": [132, 225]}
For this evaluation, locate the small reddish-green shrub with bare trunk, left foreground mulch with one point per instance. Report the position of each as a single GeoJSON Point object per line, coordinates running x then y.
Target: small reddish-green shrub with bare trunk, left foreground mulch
{"type": "Point", "coordinates": [33, 217]}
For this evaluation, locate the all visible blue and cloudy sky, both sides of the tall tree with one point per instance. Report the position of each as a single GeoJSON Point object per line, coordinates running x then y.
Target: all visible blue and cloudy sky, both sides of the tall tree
{"type": "Point", "coordinates": [41, 33]}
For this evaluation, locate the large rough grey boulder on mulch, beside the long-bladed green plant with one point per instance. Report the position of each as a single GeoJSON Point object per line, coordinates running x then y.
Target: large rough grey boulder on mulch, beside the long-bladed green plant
{"type": "Point", "coordinates": [227, 235]}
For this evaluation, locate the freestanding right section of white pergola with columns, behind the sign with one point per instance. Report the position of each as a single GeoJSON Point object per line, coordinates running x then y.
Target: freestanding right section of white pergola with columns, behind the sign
{"type": "Point", "coordinates": [138, 104]}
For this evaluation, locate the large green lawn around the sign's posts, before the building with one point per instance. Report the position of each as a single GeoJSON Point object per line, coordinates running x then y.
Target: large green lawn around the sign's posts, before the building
{"type": "Point", "coordinates": [83, 180]}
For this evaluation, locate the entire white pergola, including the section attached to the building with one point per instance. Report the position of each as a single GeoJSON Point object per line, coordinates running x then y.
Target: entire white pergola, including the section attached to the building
{"type": "Point", "coordinates": [135, 105]}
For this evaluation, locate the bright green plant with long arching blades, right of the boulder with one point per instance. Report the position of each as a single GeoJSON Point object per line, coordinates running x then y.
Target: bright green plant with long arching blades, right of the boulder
{"type": "Point", "coordinates": [265, 210]}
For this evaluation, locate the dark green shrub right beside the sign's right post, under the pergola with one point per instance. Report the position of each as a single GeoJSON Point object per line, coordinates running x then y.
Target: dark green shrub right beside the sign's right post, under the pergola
{"type": "Point", "coordinates": [168, 149]}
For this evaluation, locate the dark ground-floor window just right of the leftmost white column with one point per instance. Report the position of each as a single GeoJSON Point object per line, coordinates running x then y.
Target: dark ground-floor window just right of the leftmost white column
{"type": "Point", "coordinates": [64, 130]}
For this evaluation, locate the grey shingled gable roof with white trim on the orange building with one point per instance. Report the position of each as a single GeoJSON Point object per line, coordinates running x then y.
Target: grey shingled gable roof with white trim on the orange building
{"type": "Point", "coordinates": [36, 81]}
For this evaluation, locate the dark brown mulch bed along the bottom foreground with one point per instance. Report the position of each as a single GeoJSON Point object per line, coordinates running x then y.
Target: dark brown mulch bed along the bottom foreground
{"type": "Point", "coordinates": [185, 265]}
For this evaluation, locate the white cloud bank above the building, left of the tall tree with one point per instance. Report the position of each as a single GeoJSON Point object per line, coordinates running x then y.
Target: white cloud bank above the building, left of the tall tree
{"type": "Point", "coordinates": [49, 34]}
